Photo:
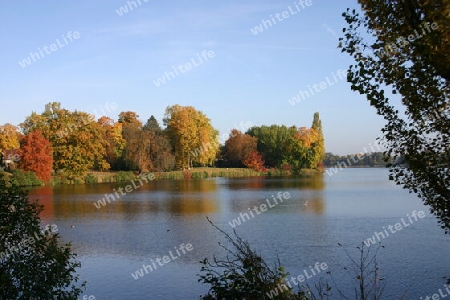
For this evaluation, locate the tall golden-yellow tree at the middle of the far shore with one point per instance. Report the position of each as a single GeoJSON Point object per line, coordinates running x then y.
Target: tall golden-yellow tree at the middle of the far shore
{"type": "Point", "coordinates": [192, 136]}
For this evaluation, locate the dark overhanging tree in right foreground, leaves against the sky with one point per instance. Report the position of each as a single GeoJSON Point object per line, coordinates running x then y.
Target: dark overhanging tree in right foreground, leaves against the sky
{"type": "Point", "coordinates": [401, 48]}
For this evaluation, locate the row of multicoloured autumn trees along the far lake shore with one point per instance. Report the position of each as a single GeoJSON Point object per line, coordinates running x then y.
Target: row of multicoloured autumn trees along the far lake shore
{"type": "Point", "coordinates": [74, 143]}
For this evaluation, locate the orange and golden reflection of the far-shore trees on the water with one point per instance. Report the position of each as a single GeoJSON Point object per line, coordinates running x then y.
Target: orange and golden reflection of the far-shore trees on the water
{"type": "Point", "coordinates": [180, 196]}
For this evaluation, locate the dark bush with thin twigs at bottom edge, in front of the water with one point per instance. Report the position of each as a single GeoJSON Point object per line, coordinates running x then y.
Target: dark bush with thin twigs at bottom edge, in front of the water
{"type": "Point", "coordinates": [243, 274]}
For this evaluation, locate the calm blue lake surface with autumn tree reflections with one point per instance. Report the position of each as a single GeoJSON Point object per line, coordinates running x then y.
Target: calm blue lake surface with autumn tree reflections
{"type": "Point", "coordinates": [156, 219]}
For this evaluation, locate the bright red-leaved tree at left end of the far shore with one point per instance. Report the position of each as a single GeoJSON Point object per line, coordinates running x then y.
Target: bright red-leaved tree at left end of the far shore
{"type": "Point", "coordinates": [36, 154]}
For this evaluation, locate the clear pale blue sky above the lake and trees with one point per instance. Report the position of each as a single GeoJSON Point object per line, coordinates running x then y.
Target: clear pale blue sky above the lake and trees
{"type": "Point", "coordinates": [250, 78]}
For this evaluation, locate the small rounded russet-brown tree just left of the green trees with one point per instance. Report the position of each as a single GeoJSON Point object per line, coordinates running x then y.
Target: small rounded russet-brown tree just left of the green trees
{"type": "Point", "coordinates": [238, 147]}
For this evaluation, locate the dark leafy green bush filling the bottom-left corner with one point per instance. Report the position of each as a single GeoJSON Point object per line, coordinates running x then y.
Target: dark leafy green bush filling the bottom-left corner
{"type": "Point", "coordinates": [32, 263]}
